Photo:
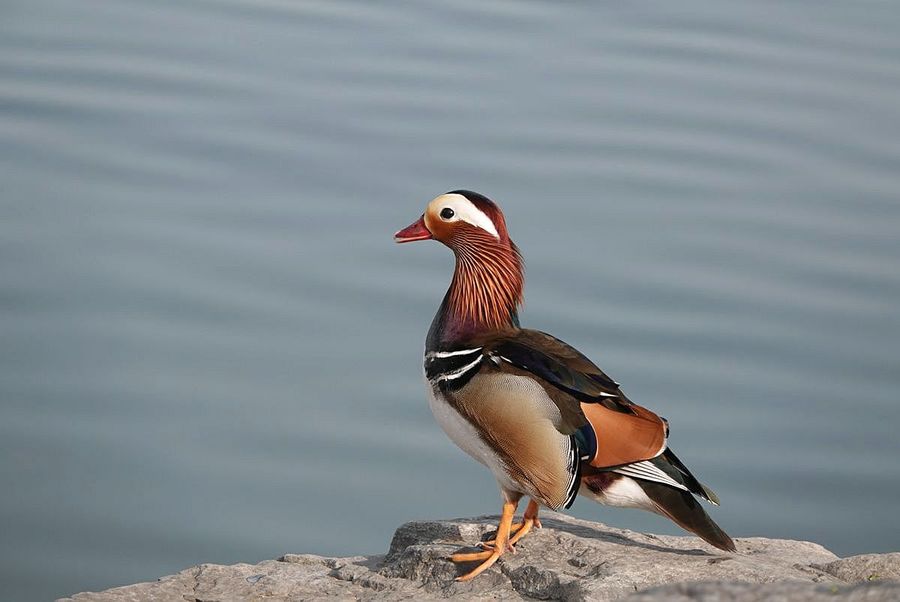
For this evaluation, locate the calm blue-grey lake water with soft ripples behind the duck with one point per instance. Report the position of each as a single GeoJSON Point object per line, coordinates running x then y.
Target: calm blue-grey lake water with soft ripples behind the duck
{"type": "Point", "coordinates": [211, 347]}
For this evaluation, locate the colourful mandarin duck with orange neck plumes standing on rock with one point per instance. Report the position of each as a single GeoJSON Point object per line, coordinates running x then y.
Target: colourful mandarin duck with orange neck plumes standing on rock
{"type": "Point", "coordinates": [545, 420]}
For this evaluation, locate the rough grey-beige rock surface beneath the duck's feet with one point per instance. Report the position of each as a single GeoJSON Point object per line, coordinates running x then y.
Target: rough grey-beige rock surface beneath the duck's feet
{"type": "Point", "coordinates": [569, 559]}
